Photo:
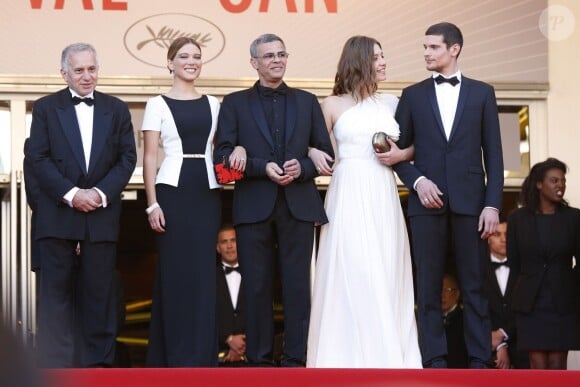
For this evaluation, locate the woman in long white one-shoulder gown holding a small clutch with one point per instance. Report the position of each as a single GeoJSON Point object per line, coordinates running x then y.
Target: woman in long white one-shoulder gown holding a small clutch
{"type": "Point", "coordinates": [363, 303]}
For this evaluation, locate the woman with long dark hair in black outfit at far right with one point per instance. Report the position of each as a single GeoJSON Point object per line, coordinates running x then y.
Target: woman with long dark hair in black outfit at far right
{"type": "Point", "coordinates": [543, 237]}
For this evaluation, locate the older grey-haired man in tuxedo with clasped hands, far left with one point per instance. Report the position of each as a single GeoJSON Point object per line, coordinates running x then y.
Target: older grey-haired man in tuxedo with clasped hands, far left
{"type": "Point", "coordinates": [82, 152]}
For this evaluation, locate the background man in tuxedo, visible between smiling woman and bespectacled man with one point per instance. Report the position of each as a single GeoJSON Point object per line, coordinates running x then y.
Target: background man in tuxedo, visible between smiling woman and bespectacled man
{"type": "Point", "coordinates": [231, 304]}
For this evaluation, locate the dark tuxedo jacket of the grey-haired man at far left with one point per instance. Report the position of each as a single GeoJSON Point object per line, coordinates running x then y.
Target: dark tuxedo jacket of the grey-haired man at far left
{"type": "Point", "coordinates": [57, 159]}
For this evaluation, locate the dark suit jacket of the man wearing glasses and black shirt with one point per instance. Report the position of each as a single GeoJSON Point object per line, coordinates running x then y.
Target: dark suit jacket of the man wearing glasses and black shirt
{"type": "Point", "coordinates": [242, 121]}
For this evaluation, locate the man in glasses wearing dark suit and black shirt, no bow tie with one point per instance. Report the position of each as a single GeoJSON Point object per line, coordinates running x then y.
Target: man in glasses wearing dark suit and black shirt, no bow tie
{"type": "Point", "coordinates": [277, 204]}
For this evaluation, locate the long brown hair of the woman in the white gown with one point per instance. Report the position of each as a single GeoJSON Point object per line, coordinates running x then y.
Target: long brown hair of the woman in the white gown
{"type": "Point", "coordinates": [355, 74]}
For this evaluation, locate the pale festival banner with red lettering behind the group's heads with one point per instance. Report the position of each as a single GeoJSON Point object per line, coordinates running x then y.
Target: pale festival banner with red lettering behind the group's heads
{"type": "Point", "coordinates": [503, 40]}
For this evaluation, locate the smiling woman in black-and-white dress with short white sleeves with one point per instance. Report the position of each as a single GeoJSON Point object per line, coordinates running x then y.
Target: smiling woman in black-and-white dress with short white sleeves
{"type": "Point", "coordinates": [184, 209]}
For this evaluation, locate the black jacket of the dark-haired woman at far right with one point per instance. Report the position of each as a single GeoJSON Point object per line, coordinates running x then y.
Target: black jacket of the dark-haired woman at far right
{"type": "Point", "coordinates": [545, 267]}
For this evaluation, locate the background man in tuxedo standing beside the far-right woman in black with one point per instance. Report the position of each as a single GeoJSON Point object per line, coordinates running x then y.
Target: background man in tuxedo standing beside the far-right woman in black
{"type": "Point", "coordinates": [500, 281]}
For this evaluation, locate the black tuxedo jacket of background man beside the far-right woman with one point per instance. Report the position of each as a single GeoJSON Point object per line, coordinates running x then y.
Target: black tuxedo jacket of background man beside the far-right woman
{"type": "Point", "coordinates": [500, 309]}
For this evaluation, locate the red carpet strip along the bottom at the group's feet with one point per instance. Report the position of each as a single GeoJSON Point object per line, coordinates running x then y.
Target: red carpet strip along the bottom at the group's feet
{"type": "Point", "coordinates": [300, 377]}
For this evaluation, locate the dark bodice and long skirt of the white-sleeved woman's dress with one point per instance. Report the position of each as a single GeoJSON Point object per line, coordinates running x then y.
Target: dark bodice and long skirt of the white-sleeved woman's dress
{"type": "Point", "coordinates": [183, 325]}
